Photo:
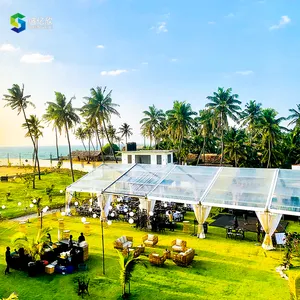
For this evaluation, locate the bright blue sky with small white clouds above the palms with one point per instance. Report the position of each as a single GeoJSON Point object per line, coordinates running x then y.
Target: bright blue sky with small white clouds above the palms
{"type": "Point", "coordinates": [150, 52]}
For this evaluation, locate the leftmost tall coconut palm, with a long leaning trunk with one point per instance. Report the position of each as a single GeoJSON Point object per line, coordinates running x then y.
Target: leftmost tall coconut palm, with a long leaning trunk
{"type": "Point", "coordinates": [18, 101]}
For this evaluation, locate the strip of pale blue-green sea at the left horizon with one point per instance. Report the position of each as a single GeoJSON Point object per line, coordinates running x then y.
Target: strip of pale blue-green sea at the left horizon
{"type": "Point", "coordinates": [45, 152]}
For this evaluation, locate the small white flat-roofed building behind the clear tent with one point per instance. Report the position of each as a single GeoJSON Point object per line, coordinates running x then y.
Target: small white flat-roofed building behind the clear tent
{"type": "Point", "coordinates": [153, 157]}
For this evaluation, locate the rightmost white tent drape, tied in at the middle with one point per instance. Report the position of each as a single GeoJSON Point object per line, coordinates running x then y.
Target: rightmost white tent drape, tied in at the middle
{"type": "Point", "coordinates": [269, 223]}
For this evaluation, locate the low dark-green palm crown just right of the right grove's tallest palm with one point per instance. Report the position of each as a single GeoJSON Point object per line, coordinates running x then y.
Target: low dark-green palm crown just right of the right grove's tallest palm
{"type": "Point", "coordinates": [235, 147]}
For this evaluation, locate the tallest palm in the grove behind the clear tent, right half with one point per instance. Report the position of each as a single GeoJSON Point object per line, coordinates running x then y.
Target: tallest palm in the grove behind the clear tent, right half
{"type": "Point", "coordinates": [224, 105]}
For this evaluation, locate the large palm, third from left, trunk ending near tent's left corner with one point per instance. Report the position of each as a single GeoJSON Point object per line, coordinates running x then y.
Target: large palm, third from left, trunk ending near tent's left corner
{"type": "Point", "coordinates": [65, 116]}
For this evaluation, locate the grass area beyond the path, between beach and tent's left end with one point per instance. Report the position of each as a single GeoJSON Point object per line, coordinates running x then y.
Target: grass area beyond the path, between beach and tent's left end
{"type": "Point", "coordinates": [20, 193]}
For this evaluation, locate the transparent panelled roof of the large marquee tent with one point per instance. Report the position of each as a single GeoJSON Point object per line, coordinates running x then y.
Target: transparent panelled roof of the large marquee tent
{"type": "Point", "coordinates": [273, 190]}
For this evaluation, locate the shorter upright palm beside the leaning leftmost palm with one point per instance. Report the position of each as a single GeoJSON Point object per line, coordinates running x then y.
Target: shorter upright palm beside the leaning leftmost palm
{"type": "Point", "coordinates": [35, 129]}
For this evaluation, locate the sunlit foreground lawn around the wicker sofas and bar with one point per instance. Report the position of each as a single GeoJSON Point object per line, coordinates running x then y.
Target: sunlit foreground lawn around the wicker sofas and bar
{"type": "Point", "coordinates": [222, 269]}
